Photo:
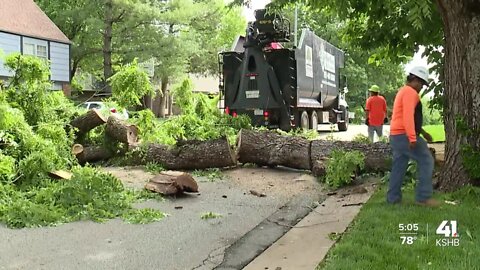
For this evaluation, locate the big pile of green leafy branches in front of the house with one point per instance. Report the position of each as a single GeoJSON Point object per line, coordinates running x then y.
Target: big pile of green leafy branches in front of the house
{"type": "Point", "coordinates": [34, 143]}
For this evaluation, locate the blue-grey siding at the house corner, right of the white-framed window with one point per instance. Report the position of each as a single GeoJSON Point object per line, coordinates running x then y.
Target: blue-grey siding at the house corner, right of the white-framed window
{"type": "Point", "coordinates": [60, 62]}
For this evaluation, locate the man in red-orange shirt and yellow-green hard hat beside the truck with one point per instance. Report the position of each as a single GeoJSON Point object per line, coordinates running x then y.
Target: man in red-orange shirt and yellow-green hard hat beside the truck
{"type": "Point", "coordinates": [376, 109]}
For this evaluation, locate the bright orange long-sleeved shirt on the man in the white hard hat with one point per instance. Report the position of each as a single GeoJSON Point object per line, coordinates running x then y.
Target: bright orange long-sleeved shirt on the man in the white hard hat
{"type": "Point", "coordinates": [407, 117]}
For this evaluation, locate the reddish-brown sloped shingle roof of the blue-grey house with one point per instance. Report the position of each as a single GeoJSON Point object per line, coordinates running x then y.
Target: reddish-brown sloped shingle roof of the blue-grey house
{"type": "Point", "coordinates": [24, 17]}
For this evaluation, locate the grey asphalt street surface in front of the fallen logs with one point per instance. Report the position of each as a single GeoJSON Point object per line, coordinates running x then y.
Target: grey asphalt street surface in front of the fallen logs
{"type": "Point", "coordinates": [181, 241]}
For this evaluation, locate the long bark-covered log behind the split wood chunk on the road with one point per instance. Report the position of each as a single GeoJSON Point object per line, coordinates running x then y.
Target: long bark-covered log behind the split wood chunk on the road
{"type": "Point", "coordinates": [188, 155]}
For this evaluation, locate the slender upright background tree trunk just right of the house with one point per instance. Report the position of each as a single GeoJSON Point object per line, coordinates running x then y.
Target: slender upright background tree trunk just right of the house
{"type": "Point", "coordinates": [107, 43]}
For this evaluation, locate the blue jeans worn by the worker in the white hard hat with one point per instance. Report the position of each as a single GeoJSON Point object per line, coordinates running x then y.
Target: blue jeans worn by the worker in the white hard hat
{"type": "Point", "coordinates": [401, 155]}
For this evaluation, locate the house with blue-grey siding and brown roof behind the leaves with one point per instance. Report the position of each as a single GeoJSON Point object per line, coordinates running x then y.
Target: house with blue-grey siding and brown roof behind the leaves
{"type": "Point", "coordinates": [25, 28]}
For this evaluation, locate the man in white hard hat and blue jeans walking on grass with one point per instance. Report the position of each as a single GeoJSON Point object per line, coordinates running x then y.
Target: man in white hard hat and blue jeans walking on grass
{"type": "Point", "coordinates": [406, 143]}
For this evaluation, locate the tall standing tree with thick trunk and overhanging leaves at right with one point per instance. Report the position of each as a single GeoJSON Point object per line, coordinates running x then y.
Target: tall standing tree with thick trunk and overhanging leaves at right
{"type": "Point", "coordinates": [449, 27]}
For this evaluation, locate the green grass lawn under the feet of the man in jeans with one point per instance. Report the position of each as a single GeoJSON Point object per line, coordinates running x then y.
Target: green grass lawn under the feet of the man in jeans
{"type": "Point", "coordinates": [373, 239]}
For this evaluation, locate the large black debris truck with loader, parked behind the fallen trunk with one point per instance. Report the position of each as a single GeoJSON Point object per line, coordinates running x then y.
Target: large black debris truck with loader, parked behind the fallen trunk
{"type": "Point", "coordinates": [283, 88]}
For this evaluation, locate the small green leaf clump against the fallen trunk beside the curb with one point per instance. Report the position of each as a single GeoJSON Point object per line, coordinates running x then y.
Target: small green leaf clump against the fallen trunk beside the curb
{"type": "Point", "coordinates": [342, 167]}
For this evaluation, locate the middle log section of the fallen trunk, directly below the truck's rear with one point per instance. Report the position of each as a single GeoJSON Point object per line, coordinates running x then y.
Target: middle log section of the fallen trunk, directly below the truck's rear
{"type": "Point", "coordinates": [271, 149]}
